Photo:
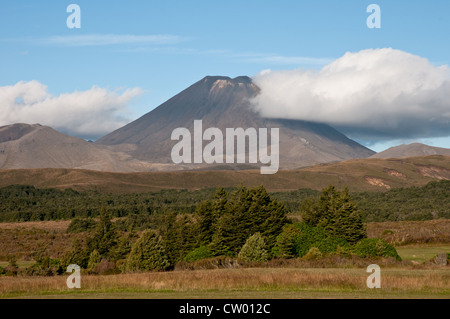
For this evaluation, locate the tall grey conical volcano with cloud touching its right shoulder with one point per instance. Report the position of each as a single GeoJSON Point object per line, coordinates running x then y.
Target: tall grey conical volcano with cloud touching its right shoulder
{"type": "Point", "coordinates": [223, 102]}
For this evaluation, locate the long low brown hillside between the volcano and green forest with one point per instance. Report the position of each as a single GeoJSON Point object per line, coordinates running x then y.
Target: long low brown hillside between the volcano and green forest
{"type": "Point", "coordinates": [358, 175]}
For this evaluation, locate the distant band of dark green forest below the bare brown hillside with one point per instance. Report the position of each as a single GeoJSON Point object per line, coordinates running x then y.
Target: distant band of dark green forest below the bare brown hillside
{"type": "Point", "coordinates": [27, 203]}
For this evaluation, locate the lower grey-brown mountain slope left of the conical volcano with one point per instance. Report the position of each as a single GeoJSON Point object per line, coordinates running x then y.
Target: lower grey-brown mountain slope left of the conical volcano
{"type": "Point", "coordinates": [37, 146]}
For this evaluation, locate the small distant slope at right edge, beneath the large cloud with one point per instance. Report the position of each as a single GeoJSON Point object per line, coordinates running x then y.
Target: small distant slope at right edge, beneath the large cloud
{"type": "Point", "coordinates": [410, 150]}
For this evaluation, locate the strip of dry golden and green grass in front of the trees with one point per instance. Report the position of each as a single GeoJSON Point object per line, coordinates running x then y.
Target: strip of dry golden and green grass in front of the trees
{"type": "Point", "coordinates": [263, 283]}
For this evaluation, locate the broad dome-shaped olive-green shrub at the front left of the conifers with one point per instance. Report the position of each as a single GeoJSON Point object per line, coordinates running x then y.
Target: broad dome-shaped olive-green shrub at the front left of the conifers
{"type": "Point", "coordinates": [147, 254]}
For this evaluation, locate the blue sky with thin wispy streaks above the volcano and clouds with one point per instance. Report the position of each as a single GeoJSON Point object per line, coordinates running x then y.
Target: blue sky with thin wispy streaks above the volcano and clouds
{"type": "Point", "coordinates": [162, 47]}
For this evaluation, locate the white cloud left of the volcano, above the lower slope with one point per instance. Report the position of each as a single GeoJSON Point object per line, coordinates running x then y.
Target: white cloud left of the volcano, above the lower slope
{"type": "Point", "coordinates": [89, 114]}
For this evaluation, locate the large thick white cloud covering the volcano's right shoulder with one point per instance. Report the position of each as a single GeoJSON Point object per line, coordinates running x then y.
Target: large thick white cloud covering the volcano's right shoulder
{"type": "Point", "coordinates": [371, 94]}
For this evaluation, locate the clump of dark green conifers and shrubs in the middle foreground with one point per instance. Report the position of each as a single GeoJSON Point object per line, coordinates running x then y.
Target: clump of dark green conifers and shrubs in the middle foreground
{"type": "Point", "coordinates": [245, 224]}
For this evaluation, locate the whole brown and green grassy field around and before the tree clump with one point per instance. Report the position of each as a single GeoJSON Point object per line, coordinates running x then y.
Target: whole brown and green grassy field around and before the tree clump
{"type": "Point", "coordinates": [414, 279]}
